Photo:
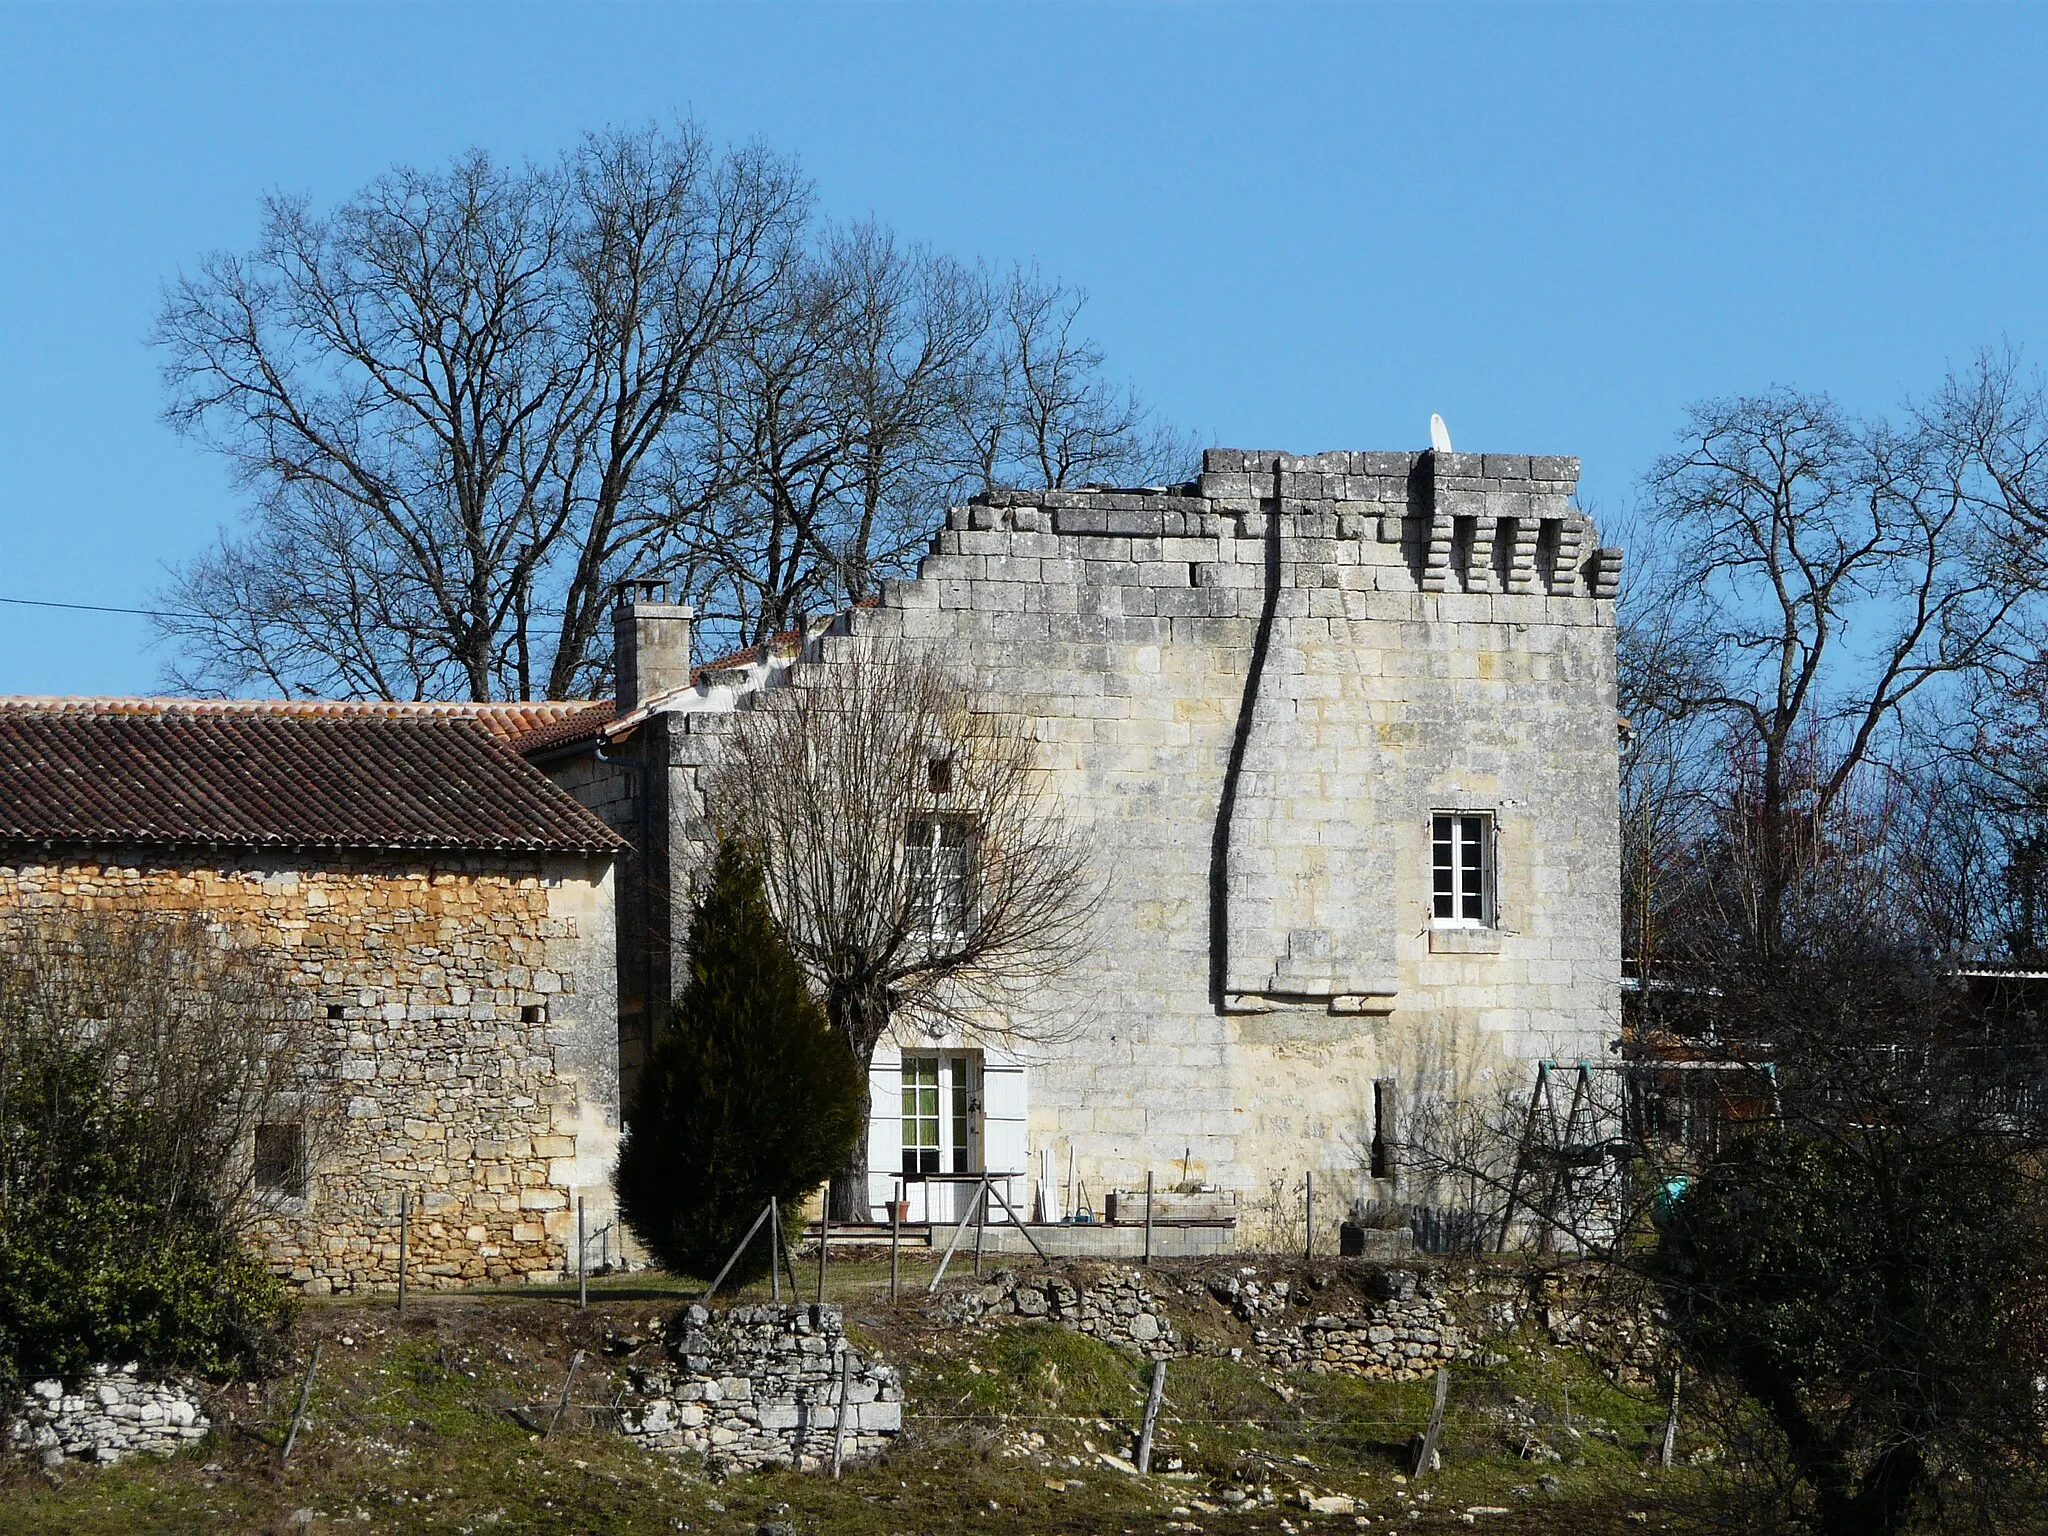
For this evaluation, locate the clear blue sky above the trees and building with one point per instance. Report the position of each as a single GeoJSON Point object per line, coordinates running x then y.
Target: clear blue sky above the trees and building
{"type": "Point", "coordinates": [1302, 228]}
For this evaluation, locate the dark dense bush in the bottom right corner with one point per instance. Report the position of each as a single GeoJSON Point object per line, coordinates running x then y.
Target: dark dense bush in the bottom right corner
{"type": "Point", "coordinates": [1879, 1297]}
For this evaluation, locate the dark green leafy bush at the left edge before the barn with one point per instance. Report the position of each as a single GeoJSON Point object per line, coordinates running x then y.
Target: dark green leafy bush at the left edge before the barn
{"type": "Point", "coordinates": [103, 1256]}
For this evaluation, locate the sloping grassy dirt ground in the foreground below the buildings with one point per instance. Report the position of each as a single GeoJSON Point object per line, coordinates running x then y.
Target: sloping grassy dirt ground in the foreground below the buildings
{"type": "Point", "coordinates": [454, 1420]}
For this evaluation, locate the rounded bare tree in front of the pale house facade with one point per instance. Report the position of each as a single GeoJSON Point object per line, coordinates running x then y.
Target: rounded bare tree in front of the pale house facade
{"type": "Point", "coordinates": [916, 859]}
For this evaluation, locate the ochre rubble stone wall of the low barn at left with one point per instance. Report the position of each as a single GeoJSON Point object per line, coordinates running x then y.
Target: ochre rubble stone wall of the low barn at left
{"type": "Point", "coordinates": [468, 1015]}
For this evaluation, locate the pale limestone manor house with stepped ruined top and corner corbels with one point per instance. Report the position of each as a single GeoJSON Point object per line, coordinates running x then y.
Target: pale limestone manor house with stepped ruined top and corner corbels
{"type": "Point", "coordinates": [1342, 734]}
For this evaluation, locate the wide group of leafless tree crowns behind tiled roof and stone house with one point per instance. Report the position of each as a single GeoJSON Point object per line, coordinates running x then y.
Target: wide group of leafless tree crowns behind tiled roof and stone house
{"type": "Point", "coordinates": [468, 402]}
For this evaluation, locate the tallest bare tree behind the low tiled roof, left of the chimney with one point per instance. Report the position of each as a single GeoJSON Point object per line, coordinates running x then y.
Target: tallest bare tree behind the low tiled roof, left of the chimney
{"type": "Point", "coordinates": [445, 400]}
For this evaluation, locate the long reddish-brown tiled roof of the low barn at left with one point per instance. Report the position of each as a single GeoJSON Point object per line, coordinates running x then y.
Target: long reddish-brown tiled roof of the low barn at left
{"type": "Point", "coordinates": [284, 775]}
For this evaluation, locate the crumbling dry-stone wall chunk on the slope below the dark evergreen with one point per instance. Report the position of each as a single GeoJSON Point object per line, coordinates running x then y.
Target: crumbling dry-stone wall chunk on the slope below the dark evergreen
{"type": "Point", "coordinates": [761, 1388]}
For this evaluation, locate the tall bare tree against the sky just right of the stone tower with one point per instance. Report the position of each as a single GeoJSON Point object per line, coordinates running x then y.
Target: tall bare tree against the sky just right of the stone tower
{"type": "Point", "coordinates": [1828, 574]}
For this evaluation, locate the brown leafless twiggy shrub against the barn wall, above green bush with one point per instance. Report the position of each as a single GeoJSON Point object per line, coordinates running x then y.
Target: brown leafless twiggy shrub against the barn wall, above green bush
{"type": "Point", "coordinates": [204, 1037]}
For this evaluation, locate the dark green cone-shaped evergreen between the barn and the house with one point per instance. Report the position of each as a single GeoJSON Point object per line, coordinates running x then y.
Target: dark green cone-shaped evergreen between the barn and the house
{"type": "Point", "coordinates": [749, 1097]}
